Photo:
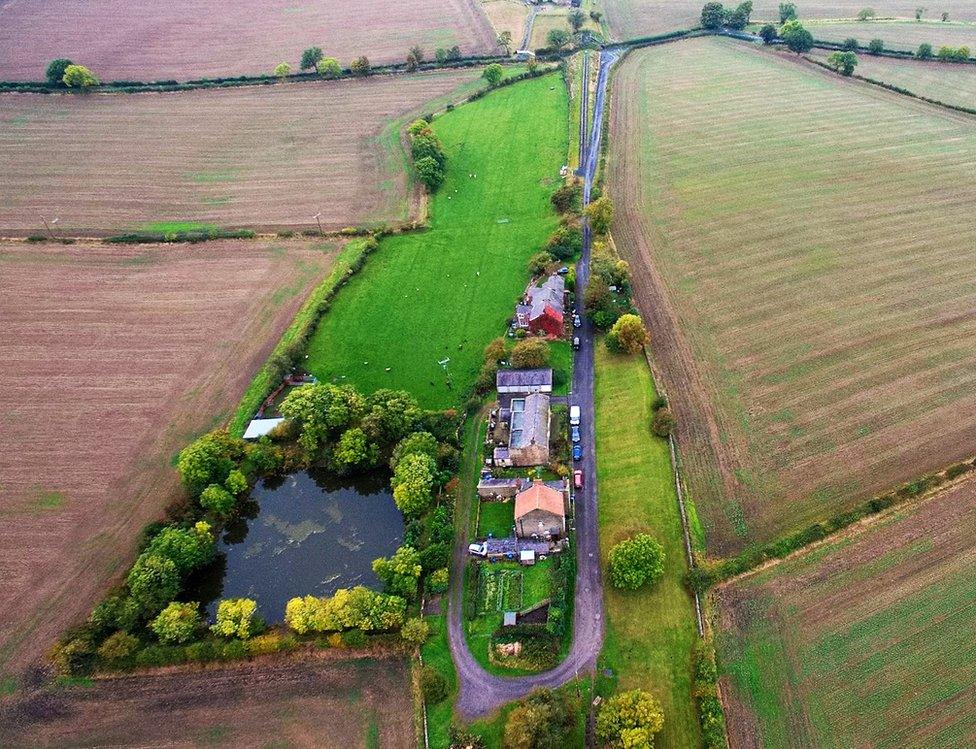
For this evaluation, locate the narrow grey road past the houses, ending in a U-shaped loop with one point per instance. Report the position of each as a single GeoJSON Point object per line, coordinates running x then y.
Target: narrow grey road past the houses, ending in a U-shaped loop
{"type": "Point", "coordinates": [480, 692]}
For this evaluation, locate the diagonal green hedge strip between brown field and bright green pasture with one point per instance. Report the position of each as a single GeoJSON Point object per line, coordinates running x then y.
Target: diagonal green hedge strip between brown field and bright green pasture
{"type": "Point", "coordinates": [294, 339]}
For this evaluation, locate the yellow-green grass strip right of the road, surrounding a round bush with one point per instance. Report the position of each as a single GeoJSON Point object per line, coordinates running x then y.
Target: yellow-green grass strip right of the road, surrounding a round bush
{"type": "Point", "coordinates": [650, 633]}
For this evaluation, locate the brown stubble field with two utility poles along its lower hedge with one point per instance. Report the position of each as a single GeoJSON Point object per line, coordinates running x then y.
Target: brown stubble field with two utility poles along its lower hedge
{"type": "Point", "coordinates": [254, 156]}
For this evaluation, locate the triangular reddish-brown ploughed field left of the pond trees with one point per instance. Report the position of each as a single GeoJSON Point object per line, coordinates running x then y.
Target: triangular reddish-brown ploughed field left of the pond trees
{"type": "Point", "coordinates": [111, 360]}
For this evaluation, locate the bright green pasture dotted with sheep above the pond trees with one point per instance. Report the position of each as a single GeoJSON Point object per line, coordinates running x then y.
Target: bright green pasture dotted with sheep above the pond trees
{"type": "Point", "coordinates": [444, 293]}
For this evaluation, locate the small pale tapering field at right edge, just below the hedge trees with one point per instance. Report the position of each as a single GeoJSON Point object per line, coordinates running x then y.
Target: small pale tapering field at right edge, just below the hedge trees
{"type": "Point", "coordinates": [952, 84]}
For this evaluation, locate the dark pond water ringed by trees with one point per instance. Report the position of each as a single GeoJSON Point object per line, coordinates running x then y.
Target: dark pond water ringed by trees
{"type": "Point", "coordinates": [302, 534]}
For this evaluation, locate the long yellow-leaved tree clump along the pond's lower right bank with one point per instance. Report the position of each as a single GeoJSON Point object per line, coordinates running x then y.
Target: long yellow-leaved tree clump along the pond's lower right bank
{"type": "Point", "coordinates": [349, 608]}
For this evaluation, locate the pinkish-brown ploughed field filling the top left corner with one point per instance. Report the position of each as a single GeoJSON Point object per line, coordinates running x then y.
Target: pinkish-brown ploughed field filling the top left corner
{"type": "Point", "coordinates": [183, 39]}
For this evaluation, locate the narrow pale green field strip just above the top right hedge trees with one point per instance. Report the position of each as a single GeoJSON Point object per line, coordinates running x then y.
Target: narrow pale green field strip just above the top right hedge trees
{"type": "Point", "coordinates": [898, 35]}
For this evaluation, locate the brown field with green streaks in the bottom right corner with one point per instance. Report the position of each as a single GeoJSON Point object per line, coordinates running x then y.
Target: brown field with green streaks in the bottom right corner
{"type": "Point", "coordinates": [867, 641]}
